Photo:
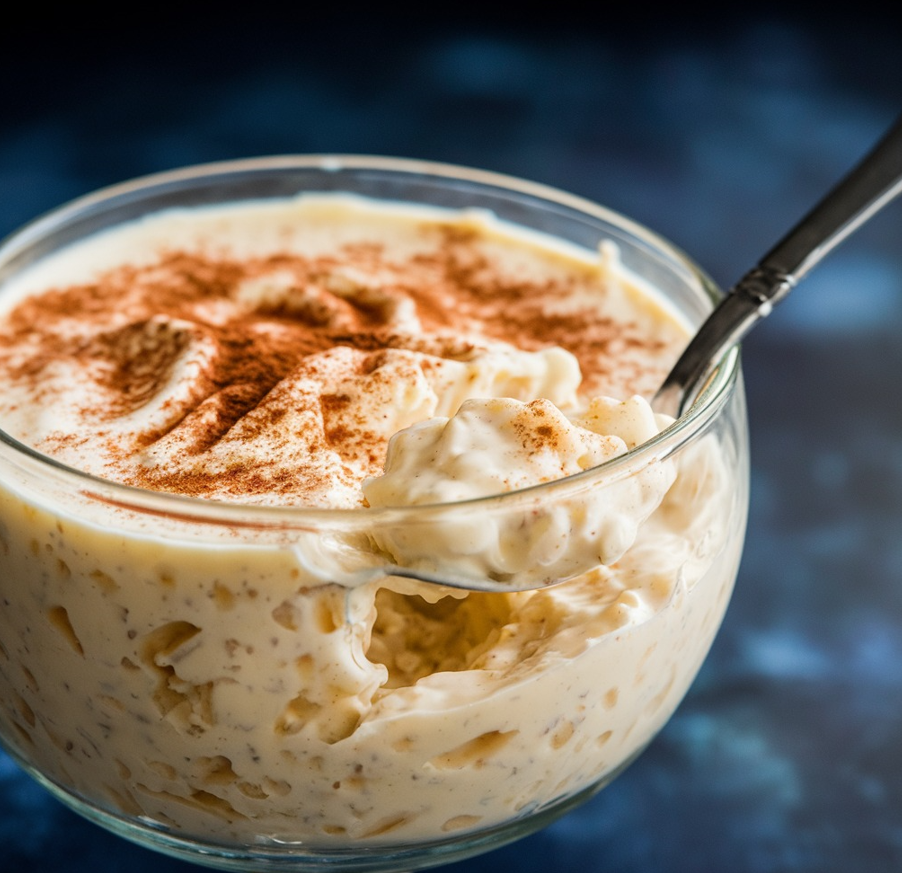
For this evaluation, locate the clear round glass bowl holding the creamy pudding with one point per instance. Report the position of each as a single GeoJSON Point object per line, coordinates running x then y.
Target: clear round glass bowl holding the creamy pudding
{"type": "Point", "coordinates": [153, 673]}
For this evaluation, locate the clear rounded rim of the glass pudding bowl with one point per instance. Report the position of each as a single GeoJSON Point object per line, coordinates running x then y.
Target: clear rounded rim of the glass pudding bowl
{"type": "Point", "coordinates": [691, 423]}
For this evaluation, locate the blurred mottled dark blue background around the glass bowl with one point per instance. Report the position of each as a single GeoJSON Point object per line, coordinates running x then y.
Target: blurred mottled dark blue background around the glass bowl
{"type": "Point", "coordinates": [716, 132]}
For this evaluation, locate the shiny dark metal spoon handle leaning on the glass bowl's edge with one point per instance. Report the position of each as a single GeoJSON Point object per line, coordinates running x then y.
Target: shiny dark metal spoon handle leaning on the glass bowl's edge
{"type": "Point", "coordinates": [866, 189]}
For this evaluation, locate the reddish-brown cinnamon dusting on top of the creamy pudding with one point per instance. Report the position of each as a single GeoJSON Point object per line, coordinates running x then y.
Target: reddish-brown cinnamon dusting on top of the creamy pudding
{"type": "Point", "coordinates": [210, 376]}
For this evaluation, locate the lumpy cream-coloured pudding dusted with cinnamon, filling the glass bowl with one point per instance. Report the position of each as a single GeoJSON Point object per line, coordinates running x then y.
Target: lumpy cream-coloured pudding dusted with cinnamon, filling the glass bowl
{"type": "Point", "coordinates": [331, 353]}
